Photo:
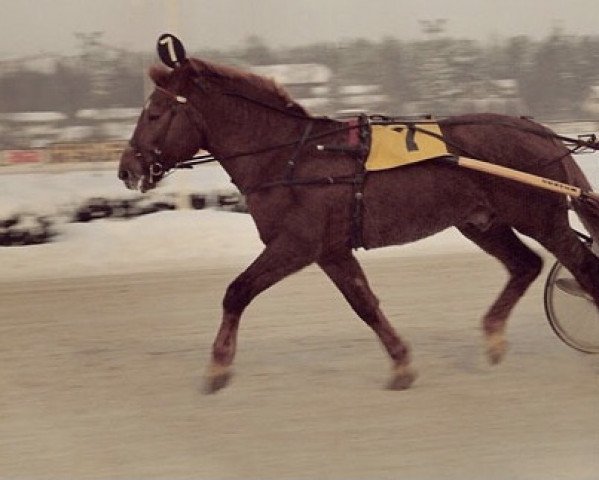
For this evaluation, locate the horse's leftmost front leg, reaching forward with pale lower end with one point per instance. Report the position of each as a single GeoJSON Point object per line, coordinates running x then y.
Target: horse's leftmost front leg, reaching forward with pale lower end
{"type": "Point", "coordinates": [279, 259]}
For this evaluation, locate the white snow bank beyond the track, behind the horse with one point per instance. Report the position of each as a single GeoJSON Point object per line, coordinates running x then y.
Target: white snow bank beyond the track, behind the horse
{"type": "Point", "coordinates": [180, 239]}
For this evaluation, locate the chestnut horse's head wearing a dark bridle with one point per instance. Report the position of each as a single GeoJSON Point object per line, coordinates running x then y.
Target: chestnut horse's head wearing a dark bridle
{"type": "Point", "coordinates": [169, 129]}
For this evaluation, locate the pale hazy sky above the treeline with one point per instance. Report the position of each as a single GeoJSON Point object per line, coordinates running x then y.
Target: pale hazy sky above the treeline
{"type": "Point", "coordinates": [35, 26]}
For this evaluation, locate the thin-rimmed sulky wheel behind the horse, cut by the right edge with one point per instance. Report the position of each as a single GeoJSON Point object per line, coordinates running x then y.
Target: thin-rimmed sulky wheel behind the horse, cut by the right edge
{"type": "Point", "coordinates": [570, 311]}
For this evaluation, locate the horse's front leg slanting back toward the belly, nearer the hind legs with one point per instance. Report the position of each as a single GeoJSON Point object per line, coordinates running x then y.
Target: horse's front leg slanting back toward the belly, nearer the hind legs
{"type": "Point", "coordinates": [345, 272]}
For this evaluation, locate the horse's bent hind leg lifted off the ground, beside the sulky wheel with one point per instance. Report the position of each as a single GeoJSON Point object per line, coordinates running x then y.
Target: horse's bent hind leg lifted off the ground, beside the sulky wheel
{"type": "Point", "coordinates": [523, 266]}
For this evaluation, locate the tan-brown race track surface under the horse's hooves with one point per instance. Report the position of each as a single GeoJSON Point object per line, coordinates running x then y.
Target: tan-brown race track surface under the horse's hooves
{"type": "Point", "coordinates": [101, 378]}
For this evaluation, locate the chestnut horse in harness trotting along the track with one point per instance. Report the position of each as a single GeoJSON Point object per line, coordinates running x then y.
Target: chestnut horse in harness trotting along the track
{"type": "Point", "coordinates": [305, 212]}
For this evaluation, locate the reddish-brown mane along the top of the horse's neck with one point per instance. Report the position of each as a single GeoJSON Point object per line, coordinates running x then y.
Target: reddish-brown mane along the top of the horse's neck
{"type": "Point", "coordinates": [249, 83]}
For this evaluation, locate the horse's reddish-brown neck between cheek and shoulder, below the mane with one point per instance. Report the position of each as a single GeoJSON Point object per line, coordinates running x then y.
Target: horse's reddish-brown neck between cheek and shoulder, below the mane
{"type": "Point", "coordinates": [241, 138]}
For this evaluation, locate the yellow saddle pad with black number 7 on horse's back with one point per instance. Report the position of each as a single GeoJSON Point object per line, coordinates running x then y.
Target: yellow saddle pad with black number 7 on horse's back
{"type": "Point", "coordinates": [397, 145]}
